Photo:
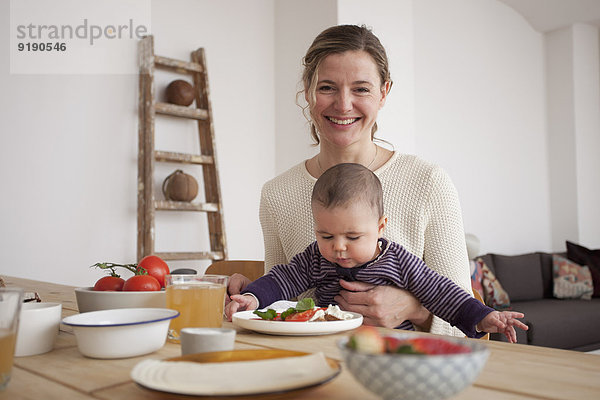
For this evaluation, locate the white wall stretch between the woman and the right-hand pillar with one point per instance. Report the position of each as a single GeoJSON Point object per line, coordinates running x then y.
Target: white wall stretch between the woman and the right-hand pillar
{"type": "Point", "coordinates": [480, 108]}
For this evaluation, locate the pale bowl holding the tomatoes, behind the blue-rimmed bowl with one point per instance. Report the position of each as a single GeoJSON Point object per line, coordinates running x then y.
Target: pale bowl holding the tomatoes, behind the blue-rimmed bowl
{"type": "Point", "coordinates": [89, 299]}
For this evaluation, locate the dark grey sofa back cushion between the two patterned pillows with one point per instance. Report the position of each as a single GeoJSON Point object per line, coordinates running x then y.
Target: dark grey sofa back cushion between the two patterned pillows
{"type": "Point", "coordinates": [521, 276]}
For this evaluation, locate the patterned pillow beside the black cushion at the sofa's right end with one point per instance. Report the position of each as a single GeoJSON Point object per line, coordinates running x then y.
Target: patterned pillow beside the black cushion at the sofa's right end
{"type": "Point", "coordinates": [571, 281]}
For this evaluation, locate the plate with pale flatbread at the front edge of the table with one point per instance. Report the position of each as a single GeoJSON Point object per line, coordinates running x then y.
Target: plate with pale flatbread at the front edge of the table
{"type": "Point", "coordinates": [236, 373]}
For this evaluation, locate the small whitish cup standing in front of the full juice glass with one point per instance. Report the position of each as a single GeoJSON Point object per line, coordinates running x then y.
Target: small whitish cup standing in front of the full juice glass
{"type": "Point", "coordinates": [203, 340]}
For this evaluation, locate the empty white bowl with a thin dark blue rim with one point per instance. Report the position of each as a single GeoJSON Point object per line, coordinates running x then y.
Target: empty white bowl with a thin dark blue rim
{"type": "Point", "coordinates": [121, 333]}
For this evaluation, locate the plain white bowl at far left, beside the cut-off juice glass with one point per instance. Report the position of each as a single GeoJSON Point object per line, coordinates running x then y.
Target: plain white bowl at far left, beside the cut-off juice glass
{"type": "Point", "coordinates": [38, 328]}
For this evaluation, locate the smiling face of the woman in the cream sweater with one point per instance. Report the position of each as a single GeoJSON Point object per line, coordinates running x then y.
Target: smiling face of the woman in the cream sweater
{"type": "Point", "coordinates": [348, 97]}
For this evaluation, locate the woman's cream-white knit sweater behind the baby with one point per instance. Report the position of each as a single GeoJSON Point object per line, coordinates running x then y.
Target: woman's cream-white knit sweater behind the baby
{"type": "Point", "coordinates": [421, 205]}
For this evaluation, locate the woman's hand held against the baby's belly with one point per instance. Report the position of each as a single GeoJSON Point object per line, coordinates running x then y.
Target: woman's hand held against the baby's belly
{"type": "Point", "coordinates": [385, 306]}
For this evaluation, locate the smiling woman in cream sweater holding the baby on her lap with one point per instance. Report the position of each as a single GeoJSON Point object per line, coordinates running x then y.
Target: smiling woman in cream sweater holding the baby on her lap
{"type": "Point", "coordinates": [346, 81]}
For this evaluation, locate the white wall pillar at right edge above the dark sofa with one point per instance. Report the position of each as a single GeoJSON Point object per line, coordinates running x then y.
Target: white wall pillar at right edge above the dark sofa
{"type": "Point", "coordinates": [573, 70]}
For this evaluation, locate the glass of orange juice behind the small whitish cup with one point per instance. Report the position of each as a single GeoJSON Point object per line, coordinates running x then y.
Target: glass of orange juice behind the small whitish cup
{"type": "Point", "coordinates": [200, 300]}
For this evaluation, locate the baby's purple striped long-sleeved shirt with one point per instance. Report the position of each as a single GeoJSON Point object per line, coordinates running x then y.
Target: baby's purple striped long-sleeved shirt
{"type": "Point", "coordinates": [394, 266]}
